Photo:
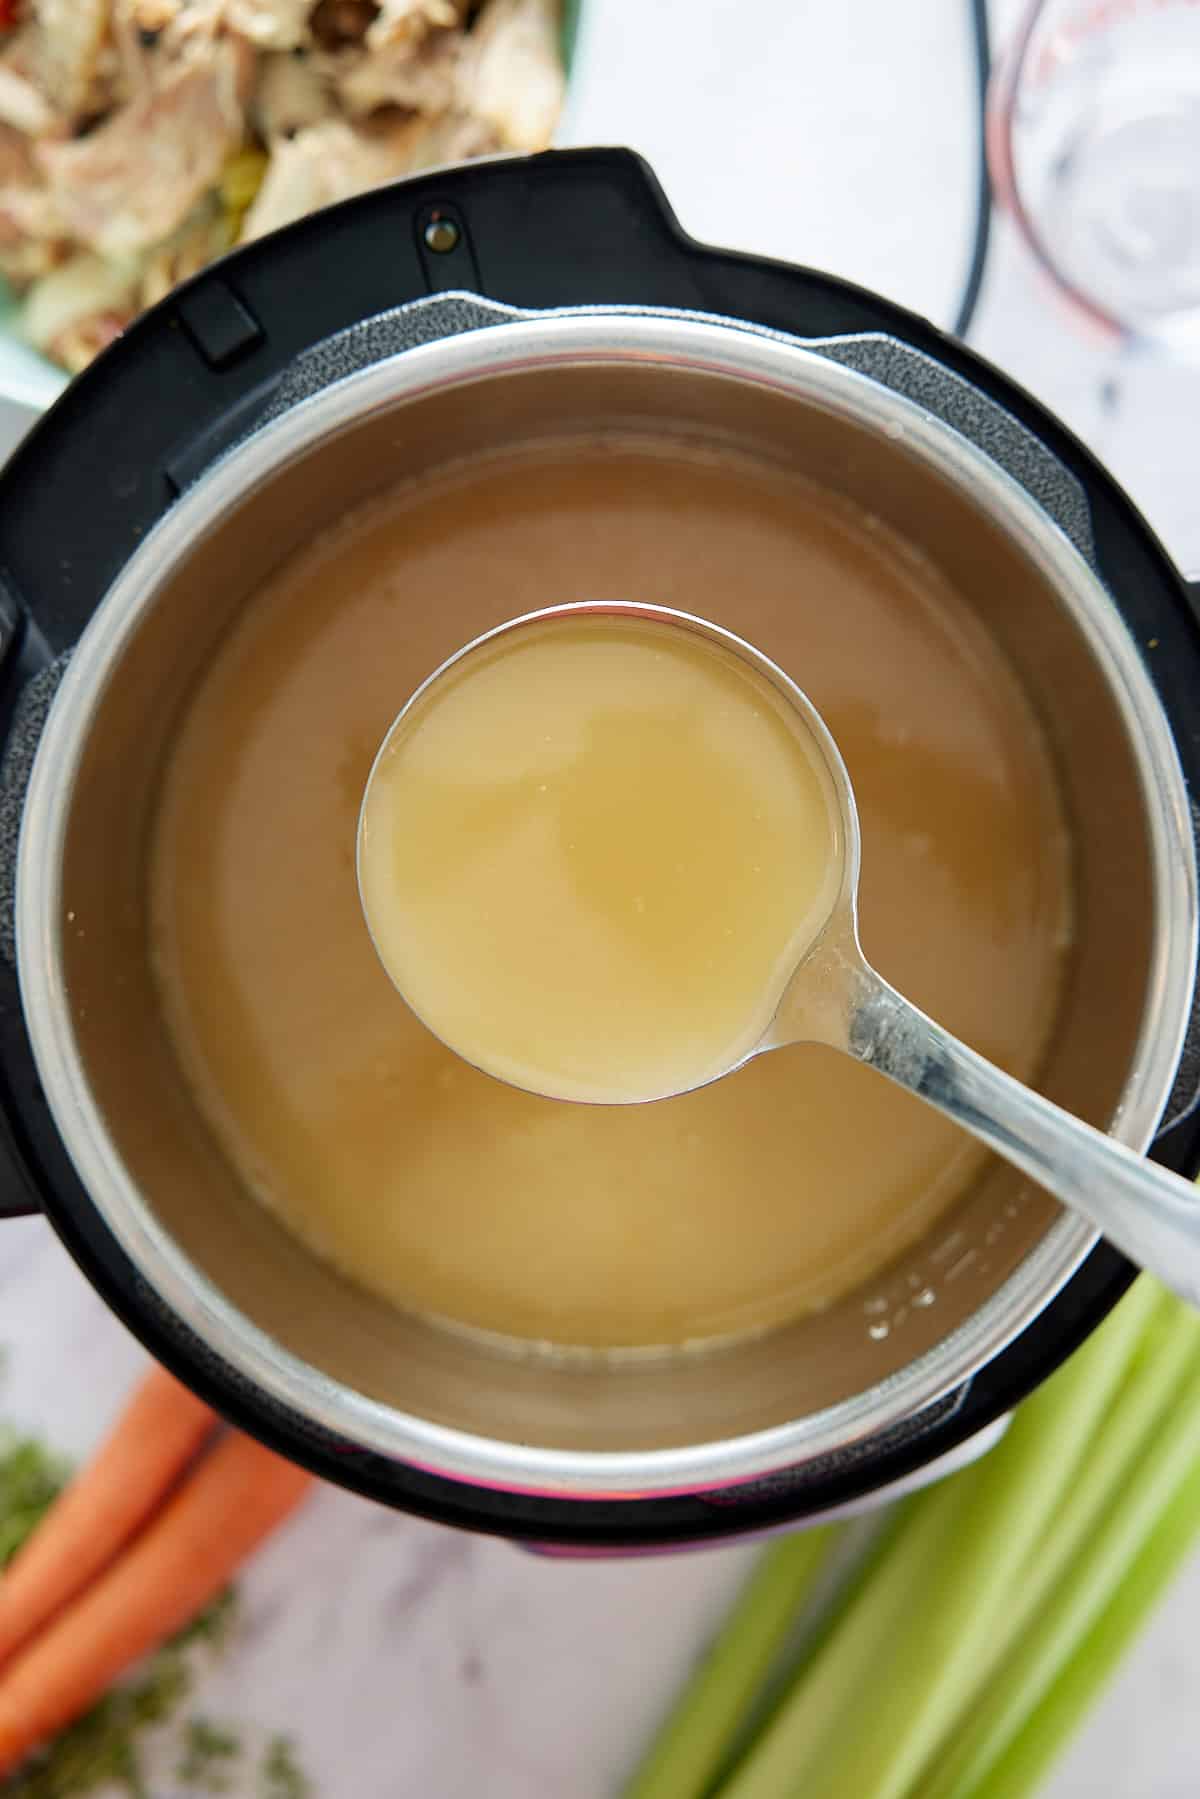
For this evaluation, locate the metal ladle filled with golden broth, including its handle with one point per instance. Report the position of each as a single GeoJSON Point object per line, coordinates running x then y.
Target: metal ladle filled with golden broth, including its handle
{"type": "Point", "coordinates": [656, 877]}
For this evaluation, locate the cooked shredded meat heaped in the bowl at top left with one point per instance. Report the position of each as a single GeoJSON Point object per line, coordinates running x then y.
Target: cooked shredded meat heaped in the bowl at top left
{"type": "Point", "coordinates": [141, 139]}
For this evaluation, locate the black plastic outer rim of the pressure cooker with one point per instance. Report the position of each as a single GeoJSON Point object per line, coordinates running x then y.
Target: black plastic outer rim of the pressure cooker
{"type": "Point", "coordinates": [564, 229]}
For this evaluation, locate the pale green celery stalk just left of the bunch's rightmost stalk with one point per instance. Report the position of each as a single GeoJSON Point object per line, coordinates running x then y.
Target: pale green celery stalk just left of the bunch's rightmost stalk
{"type": "Point", "coordinates": [1143, 1454]}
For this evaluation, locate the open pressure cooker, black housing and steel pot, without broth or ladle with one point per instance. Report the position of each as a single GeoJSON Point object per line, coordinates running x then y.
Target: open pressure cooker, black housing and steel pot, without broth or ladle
{"type": "Point", "coordinates": [474, 309]}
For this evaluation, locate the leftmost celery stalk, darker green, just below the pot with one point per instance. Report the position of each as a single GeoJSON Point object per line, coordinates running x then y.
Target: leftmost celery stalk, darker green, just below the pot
{"type": "Point", "coordinates": [695, 1741]}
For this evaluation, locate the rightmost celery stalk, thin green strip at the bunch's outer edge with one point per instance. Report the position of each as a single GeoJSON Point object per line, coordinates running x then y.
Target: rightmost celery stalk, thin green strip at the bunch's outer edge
{"type": "Point", "coordinates": [1025, 1764]}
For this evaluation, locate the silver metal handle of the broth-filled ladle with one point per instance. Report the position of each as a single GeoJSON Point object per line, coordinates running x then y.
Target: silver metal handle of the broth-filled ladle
{"type": "Point", "coordinates": [1147, 1212]}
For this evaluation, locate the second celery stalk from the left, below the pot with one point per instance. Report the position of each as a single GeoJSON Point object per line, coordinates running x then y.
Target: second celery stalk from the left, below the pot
{"type": "Point", "coordinates": [832, 1694]}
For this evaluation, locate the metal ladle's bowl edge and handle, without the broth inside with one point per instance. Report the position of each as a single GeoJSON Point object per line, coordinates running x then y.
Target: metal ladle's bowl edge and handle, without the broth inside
{"type": "Point", "coordinates": [836, 998]}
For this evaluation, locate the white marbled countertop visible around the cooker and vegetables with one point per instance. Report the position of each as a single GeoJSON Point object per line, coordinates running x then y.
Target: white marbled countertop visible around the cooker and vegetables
{"type": "Point", "coordinates": [415, 1661]}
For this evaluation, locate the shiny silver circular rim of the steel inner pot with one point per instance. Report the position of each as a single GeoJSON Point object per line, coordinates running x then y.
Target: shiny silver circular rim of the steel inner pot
{"type": "Point", "coordinates": [481, 355]}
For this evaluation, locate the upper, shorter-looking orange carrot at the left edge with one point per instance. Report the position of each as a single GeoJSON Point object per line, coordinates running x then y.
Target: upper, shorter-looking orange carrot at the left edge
{"type": "Point", "coordinates": [154, 1440]}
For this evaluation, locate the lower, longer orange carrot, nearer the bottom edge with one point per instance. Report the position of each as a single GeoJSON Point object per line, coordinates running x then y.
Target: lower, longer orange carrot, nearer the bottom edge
{"type": "Point", "coordinates": [238, 1494]}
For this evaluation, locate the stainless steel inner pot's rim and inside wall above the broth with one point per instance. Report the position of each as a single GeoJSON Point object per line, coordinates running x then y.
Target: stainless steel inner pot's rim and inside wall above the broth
{"type": "Point", "coordinates": [260, 1300]}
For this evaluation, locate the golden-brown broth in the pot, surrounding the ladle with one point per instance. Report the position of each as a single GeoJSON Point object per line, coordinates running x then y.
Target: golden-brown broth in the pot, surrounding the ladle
{"type": "Point", "coordinates": [726, 1212]}
